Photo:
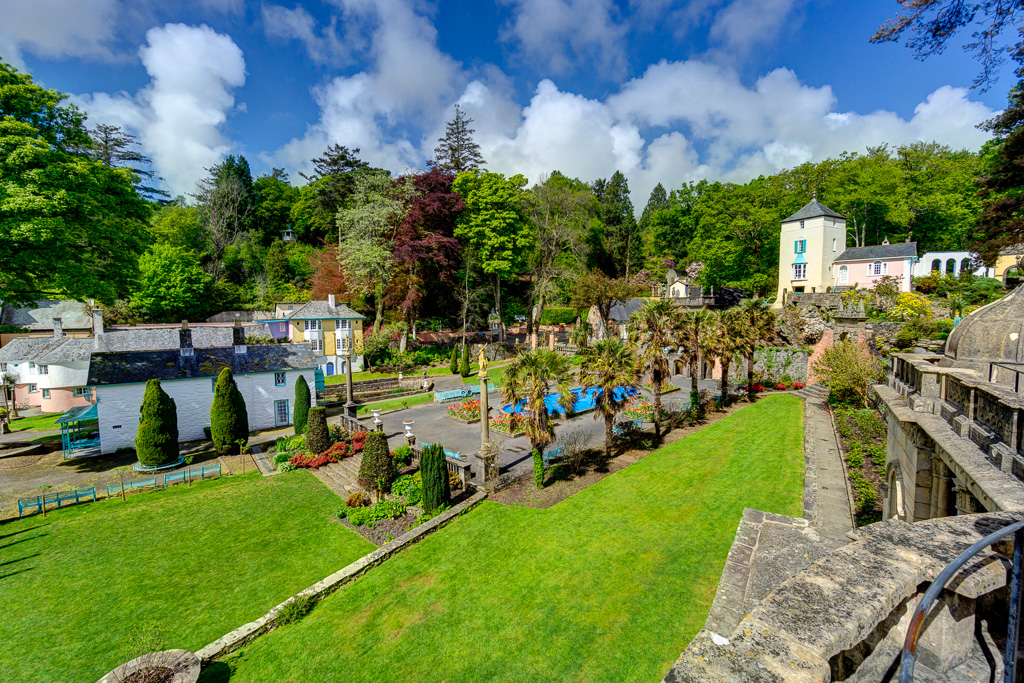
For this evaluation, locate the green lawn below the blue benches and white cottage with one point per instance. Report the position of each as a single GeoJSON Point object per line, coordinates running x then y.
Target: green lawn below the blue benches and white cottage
{"type": "Point", "coordinates": [195, 563]}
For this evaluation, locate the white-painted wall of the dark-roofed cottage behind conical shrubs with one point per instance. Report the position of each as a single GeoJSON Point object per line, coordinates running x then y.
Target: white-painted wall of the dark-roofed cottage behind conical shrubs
{"type": "Point", "coordinates": [118, 407]}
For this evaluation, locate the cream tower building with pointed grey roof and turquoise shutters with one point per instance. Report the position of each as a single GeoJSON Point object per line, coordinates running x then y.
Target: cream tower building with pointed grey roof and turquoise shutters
{"type": "Point", "coordinates": [810, 242]}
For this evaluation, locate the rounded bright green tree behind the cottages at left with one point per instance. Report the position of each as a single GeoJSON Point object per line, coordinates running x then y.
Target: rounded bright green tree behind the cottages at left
{"type": "Point", "coordinates": [172, 285]}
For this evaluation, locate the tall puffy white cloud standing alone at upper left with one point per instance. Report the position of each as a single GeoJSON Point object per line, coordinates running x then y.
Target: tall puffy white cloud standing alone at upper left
{"type": "Point", "coordinates": [179, 117]}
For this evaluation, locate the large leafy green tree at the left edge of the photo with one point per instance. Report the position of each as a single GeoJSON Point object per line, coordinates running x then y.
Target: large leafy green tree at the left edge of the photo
{"type": "Point", "coordinates": [70, 227]}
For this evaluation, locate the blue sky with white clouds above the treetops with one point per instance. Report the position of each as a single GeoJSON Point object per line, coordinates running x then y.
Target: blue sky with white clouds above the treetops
{"type": "Point", "coordinates": [663, 92]}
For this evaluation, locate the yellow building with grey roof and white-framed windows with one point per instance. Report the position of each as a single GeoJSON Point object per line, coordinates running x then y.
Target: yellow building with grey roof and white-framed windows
{"type": "Point", "coordinates": [330, 328]}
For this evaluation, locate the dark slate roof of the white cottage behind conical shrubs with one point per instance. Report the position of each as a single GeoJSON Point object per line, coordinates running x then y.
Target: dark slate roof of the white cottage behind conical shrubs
{"type": "Point", "coordinates": [138, 367]}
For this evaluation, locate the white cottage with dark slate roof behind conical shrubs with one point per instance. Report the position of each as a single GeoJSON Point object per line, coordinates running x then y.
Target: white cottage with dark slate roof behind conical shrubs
{"type": "Point", "coordinates": [266, 375]}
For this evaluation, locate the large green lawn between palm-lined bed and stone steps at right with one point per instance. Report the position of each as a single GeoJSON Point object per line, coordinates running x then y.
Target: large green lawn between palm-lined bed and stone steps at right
{"type": "Point", "coordinates": [610, 585]}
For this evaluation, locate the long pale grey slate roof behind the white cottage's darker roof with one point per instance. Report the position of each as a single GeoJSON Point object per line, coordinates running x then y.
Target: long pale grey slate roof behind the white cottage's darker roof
{"type": "Point", "coordinates": [69, 350]}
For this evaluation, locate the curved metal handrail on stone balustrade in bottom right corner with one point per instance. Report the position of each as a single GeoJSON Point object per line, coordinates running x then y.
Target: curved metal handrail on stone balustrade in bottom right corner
{"type": "Point", "coordinates": [910, 658]}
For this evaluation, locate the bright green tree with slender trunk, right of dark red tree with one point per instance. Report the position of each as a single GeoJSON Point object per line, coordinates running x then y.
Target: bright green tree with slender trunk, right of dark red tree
{"type": "Point", "coordinates": [494, 227]}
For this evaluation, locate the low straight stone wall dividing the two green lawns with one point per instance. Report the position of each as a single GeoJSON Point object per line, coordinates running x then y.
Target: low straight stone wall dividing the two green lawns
{"type": "Point", "coordinates": [247, 633]}
